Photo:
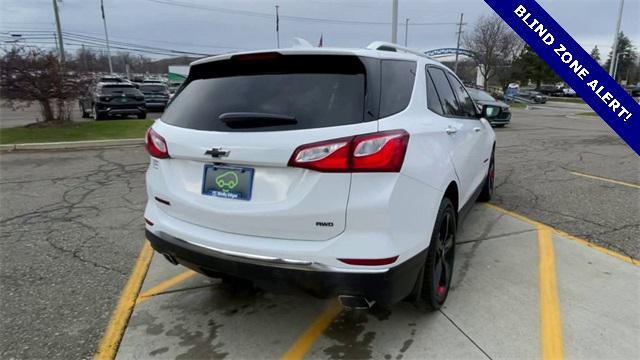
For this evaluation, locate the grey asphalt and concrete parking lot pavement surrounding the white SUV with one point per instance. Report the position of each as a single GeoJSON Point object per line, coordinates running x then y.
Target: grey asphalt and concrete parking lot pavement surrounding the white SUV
{"type": "Point", "coordinates": [72, 231]}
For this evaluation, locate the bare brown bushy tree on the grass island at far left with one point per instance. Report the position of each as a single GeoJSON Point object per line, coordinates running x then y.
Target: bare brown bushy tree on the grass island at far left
{"type": "Point", "coordinates": [32, 74]}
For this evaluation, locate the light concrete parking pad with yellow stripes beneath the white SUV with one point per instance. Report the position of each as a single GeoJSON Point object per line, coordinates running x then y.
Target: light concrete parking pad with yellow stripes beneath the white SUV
{"type": "Point", "coordinates": [512, 282]}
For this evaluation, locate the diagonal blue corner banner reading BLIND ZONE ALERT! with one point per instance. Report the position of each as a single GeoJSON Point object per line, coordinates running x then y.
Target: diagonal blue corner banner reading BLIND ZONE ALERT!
{"type": "Point", "coordinates": [574, 65]}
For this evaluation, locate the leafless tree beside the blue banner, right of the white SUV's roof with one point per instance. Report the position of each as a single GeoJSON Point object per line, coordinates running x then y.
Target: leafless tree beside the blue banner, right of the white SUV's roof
{"type": "Point", "coordinates": [494, 44]}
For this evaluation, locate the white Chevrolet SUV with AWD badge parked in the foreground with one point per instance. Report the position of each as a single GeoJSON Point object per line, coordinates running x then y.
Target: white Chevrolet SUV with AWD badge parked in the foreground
{"type": "Point", "coordinates": [331, 171]}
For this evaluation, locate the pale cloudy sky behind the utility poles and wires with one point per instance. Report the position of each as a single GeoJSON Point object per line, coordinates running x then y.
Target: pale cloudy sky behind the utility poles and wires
{"type": "Point", "coordinates": [213, 27]}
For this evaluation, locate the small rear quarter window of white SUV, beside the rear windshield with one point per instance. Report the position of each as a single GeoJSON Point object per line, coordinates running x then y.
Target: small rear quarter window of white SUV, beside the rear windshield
{"type": "Point", "coordinates": [398, 77]}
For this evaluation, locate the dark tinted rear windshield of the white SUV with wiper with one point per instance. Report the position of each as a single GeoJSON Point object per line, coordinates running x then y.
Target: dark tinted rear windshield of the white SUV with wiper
{"type": "Point", "coordinates": [271, 93]}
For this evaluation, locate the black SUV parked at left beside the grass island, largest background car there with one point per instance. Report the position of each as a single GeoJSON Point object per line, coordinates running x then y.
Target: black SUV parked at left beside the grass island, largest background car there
{"type": "Point", "coordinates": [109, 99]}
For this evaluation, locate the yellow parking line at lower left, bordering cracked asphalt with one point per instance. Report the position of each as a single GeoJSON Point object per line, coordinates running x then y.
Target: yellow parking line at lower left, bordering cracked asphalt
{"type": "Point", "coordinates": [118, 323]}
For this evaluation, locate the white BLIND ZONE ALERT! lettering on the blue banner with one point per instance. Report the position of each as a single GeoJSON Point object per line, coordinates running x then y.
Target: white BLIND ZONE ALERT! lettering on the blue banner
{"type": "Point", "coordinates": [567, 58]}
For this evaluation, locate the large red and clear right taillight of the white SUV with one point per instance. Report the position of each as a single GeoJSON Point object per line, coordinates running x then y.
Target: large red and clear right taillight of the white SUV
{"type": "Point", "coordinates": [376, 152]}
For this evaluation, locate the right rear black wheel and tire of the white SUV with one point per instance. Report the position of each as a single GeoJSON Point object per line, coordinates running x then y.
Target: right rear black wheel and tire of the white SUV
{"type": "Point", "coordinates": [438, 268]}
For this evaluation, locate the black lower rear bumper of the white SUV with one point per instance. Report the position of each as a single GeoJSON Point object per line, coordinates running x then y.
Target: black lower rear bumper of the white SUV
{"type": "Point", "coordinates": [386, 287]}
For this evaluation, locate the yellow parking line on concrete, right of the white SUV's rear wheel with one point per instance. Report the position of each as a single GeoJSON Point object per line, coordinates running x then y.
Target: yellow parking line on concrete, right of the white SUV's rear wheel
{"type": "Point", "coordinates": [550, 323]}
